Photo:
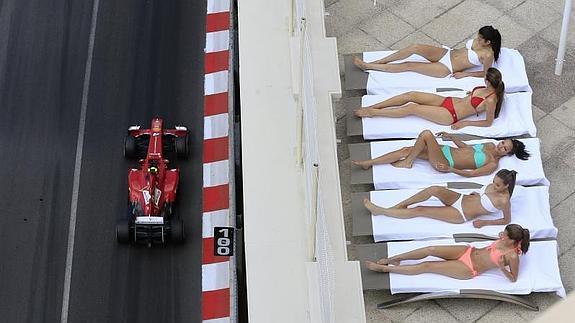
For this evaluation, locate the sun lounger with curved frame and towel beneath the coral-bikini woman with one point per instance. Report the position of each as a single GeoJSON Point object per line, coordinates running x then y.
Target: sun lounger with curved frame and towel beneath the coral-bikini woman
{"type": "Point", "coordinates": [539, 272]}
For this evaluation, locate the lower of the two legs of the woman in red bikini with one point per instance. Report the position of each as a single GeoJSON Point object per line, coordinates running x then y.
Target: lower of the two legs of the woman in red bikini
{"type": "Point", "coordinates": [436, 114]}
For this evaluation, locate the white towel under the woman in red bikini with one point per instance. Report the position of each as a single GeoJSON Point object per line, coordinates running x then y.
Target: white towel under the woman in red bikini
{"type": "Point", "coordinates": [515, 119]}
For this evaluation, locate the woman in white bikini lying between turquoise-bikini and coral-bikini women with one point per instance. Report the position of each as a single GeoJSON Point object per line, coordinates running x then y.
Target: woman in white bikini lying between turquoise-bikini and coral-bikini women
{"type": "Point", "coordinates": [459, 208]}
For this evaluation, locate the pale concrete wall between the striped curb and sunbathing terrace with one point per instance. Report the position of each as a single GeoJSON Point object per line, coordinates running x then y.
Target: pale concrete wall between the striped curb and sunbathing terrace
{"type": "Point", "coordinates": [283, 279]}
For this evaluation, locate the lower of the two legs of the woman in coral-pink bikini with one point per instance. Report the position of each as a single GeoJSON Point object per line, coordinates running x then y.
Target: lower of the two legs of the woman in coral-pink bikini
{"type": "Point", "coordinates": [451, 268]}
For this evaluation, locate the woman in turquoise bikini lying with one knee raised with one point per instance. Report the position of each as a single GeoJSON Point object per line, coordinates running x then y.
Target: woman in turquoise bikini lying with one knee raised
{"type": "Point", "coordinates": [465, 160]}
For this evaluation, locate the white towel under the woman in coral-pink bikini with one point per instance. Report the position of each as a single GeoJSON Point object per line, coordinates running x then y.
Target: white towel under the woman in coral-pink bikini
{"type": "Point", "coordinates": [538, 272]}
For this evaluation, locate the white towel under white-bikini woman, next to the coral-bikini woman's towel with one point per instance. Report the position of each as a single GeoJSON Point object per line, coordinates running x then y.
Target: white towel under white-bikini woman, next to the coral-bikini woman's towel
{"type": "Point", "coordinates": [529, 208]}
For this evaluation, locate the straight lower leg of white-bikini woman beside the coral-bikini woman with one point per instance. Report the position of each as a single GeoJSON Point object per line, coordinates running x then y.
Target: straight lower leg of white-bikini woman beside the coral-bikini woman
{"type": "Point", "coordinates": [441, 213]}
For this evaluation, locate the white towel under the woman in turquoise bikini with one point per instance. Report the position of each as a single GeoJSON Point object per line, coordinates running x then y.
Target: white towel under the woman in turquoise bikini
{"type": "Point", "coordinates": [421, 175]}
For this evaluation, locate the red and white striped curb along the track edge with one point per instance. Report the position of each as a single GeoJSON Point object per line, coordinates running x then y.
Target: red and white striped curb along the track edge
{"type": "Point", "coordinates": [216, 270]}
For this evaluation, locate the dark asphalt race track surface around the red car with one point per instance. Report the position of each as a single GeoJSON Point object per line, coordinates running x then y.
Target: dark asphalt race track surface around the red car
{"type": "Point", "coordinates": [147, 62]}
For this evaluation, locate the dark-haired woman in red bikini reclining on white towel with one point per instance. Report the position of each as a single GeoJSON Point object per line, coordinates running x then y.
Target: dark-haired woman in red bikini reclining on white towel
{"type": "Point", "coordinates": [445, 110]}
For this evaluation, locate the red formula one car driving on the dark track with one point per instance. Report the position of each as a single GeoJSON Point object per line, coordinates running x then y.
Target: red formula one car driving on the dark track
{"type": "Point", "coordinates": [153, 185]}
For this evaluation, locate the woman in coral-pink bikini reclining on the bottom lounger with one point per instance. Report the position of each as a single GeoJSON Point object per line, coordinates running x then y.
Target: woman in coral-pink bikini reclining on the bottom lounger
{"type": "Point", "coordinates": [463, 262]}
